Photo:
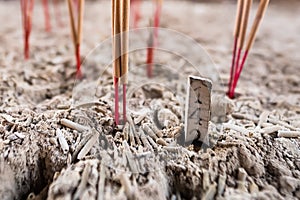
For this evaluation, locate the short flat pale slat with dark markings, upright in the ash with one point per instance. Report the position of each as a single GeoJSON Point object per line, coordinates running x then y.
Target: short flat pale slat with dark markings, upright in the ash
{"type": "Point", "coordinates": [197, 110]}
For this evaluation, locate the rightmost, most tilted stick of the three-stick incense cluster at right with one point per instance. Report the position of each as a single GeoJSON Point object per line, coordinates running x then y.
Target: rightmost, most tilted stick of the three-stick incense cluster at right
{"type": "Point", "coordinates": [259, 15]}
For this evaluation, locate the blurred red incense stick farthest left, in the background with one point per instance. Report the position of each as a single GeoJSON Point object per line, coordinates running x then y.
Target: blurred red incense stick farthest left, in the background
{"type": "Point", "coordinates": [27, 11]}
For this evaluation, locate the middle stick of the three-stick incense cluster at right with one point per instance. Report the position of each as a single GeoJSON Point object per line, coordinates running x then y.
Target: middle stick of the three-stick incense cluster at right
{"type": "Point", "coordinates": [242, 33]}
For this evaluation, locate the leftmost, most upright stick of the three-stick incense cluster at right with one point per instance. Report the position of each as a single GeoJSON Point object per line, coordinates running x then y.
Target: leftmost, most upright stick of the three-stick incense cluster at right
{"type": "Point", "coordinates": [236, 36]}
